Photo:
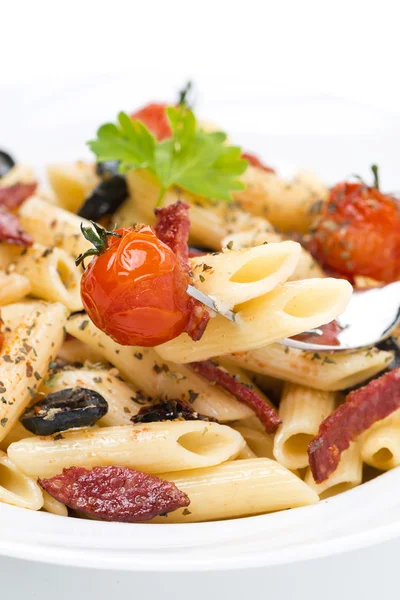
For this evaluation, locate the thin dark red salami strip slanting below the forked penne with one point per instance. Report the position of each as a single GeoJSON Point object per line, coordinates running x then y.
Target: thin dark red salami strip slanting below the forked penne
{"type": "Point", "coordinates": [214, 373]}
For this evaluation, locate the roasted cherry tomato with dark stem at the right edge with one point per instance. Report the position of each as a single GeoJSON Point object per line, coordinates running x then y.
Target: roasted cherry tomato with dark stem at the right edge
{"type": "Point", "coordinates": [358, 233]}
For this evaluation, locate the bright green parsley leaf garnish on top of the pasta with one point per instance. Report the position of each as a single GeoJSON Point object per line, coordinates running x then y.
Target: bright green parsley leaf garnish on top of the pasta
{"type": "Point", "coordinates": [197, 161]}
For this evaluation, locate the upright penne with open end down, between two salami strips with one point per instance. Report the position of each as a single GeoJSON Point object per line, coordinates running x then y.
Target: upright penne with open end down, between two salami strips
{"type": "Point", "coordinates": [301, 410]}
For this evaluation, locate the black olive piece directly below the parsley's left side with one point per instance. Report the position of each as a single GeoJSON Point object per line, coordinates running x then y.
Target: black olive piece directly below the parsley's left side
{"type": "Point", "coordinates": [105, 199]}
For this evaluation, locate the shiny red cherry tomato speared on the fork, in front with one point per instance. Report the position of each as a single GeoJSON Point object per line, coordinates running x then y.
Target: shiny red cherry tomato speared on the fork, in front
{"type": "Point", "coordinates": [135, 290]}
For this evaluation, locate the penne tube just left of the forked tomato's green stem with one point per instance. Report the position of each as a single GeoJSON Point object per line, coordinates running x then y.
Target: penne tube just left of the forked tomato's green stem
{"type": "Point", "coordinates": [50, 226]}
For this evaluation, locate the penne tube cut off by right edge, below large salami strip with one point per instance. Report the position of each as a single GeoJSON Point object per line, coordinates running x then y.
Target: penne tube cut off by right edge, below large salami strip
{"type": "Point", "coordinates": [380, 445]}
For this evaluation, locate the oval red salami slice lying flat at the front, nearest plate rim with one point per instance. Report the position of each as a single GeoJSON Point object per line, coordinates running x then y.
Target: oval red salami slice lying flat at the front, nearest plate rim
{"type": "Point", "coordinates": [115, 493]}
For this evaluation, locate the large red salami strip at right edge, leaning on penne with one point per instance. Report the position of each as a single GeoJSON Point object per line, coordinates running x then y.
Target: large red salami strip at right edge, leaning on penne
{"type": "Point", "coordinates": [362, 408]}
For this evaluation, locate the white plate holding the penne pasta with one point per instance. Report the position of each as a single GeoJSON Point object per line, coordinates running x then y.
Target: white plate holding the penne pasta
{"type": "Point", "coordinates": [49, 123]}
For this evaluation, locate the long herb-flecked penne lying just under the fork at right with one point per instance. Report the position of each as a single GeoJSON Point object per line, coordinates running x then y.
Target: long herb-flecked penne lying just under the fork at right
{"type": "Point", "coordinates": [322, 370]}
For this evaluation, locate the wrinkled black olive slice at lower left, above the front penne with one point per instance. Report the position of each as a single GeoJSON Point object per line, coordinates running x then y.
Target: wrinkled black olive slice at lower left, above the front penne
{"type": "Point", "coordinates": [72, 407]}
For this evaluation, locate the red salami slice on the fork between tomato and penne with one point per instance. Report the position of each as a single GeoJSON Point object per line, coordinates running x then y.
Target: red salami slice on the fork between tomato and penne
{"type": "Point", "coordinates": [172, 227]}
